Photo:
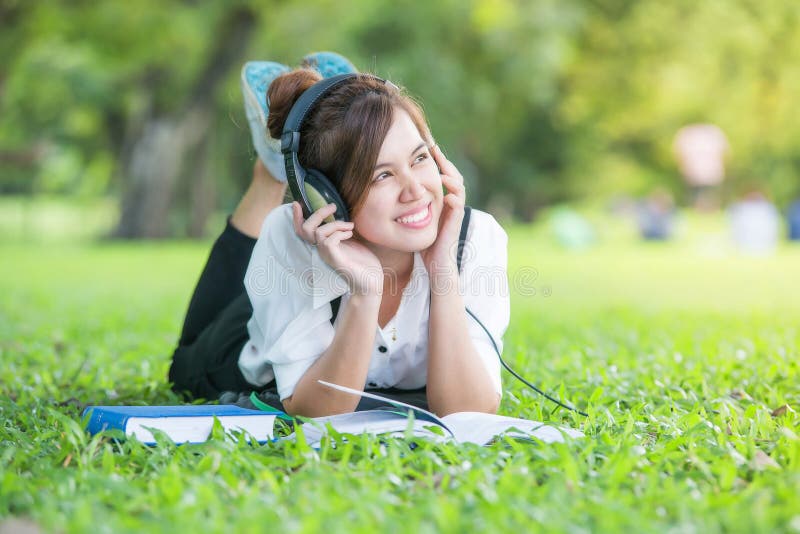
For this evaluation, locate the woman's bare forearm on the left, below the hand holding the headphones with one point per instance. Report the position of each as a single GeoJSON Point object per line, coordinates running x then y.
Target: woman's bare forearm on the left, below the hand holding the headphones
{"type": "Point", "coordinates": [346, 362]}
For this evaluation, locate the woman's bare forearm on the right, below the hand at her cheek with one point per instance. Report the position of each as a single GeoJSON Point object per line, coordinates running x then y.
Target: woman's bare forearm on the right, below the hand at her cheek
{"type": "Point", "coordinates": [457, 378]}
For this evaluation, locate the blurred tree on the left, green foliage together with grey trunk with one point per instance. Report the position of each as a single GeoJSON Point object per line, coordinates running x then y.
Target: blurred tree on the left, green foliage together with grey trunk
{"type": "Point", "coordinates": [123, 91]}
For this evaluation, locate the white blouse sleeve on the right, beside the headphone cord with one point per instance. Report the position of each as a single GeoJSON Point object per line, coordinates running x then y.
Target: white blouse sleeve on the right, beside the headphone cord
{"type": "Point", "coordinates": [484, 288]}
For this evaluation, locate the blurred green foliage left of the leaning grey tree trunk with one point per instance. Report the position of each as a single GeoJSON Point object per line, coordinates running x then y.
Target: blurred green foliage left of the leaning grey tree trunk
{"type": "Point", "coordinates": [80, 78]}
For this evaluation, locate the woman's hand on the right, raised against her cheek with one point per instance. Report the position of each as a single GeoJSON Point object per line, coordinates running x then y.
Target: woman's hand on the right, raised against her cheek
{"type": "Point", "coordinates": [441, 255]}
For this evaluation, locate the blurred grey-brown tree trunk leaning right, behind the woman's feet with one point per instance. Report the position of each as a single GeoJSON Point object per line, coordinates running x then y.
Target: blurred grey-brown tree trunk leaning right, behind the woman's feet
{"type": "Point", "coordinates": [153, 160]}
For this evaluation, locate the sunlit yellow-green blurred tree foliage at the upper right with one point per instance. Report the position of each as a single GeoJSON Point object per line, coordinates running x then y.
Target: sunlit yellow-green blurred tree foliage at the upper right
{"type": "Point", "coordinates": [646, 68]}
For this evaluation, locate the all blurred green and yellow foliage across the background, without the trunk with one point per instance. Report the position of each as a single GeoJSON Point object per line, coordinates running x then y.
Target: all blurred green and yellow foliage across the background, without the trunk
{"type": "Point", "coordinates": [537, 101]}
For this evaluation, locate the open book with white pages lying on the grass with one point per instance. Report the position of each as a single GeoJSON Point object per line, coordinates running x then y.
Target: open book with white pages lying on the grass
{"type": "Point", "coordinates": [462, 427]}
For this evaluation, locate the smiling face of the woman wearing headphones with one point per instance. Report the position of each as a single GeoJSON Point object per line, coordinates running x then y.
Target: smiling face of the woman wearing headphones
{"type": "Point", "coordinates": [402, 209]}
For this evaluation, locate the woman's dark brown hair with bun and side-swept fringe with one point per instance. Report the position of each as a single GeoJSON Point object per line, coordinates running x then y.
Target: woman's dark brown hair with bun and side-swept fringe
{"type": "Point", "coordinates": [342, 135]}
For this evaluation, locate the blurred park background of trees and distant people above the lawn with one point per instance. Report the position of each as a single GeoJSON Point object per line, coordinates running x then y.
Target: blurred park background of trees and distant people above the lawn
{"type": "Point", "coordinates": [125, 119]}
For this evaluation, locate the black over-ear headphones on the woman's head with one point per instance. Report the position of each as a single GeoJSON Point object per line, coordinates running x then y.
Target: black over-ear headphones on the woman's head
{"type": "Point", "coordinates": [311, 188]}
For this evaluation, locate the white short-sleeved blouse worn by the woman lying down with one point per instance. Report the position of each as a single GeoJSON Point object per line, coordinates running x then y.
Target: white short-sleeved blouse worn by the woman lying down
{"type": "Point", "coordinates": [290, 287]}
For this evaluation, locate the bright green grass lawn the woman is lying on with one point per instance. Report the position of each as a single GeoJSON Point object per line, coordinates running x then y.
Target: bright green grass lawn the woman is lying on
{"type": "Point", "coordinates": [678, 352]}
